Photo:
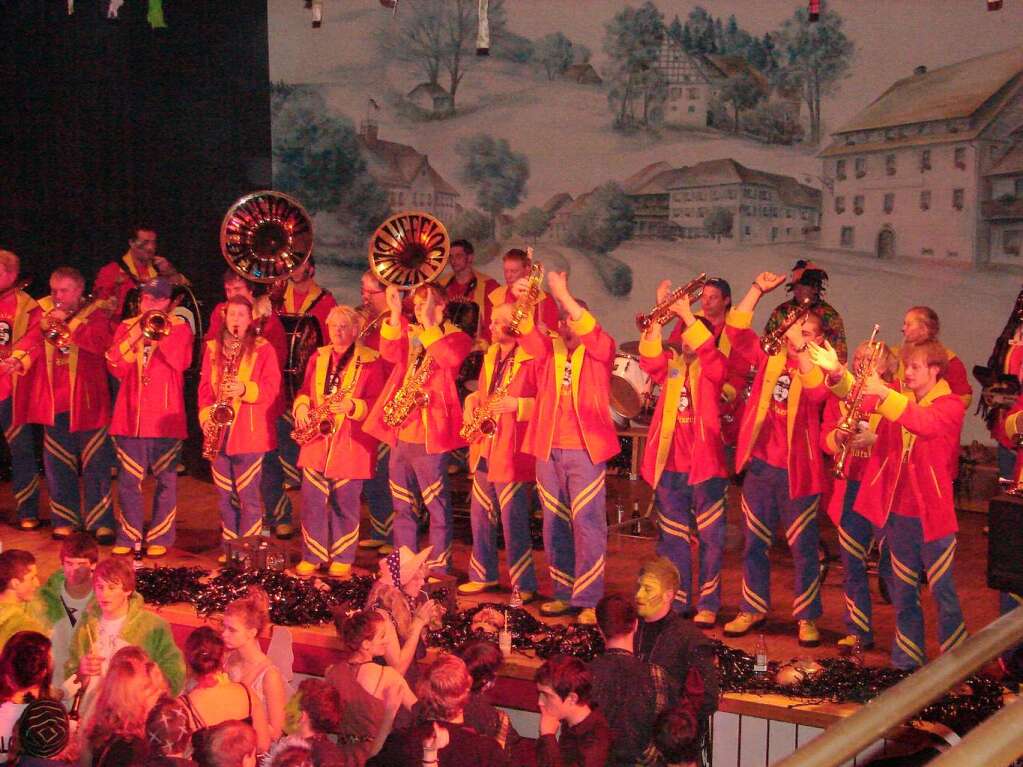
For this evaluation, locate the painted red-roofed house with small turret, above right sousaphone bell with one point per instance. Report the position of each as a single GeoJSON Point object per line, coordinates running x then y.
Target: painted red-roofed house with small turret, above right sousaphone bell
{"type": "Point", "coordinates": [412, 184]}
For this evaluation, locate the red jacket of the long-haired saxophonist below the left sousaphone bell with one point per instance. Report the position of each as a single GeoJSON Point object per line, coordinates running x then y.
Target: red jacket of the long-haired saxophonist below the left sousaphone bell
{"type": "Point", "coordinates": [253, 431]}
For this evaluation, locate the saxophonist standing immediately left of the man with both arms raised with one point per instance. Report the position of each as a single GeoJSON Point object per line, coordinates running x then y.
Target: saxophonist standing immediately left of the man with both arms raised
{"type": "Point", "coordinates": [502, 473]}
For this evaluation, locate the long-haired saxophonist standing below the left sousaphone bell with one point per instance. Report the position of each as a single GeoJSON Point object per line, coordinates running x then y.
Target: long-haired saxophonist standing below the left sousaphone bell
{"type": "Point", "coordinates": [240, 372]}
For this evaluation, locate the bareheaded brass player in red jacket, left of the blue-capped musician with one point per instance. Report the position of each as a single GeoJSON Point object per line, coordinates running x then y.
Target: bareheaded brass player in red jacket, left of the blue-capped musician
{"type": "Point", "coordinates": [67, 373]}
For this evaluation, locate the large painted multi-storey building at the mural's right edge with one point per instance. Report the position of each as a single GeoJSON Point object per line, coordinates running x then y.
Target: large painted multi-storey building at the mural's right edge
{"type": "Point", "coordinates": [933, 168]}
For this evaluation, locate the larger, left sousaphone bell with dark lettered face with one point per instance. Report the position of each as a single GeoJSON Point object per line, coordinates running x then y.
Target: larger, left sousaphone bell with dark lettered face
{"type": "Point", "coordinates": [266, 236]}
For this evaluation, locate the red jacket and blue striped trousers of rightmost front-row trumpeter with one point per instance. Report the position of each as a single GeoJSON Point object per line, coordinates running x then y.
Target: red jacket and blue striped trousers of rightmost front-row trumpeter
{"type": "Point", "coordinates": [908, 490]}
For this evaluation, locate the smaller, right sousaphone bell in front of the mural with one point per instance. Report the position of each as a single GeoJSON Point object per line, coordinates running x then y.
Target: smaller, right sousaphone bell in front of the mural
{"type": "Point", "coordinates": [410, 250]}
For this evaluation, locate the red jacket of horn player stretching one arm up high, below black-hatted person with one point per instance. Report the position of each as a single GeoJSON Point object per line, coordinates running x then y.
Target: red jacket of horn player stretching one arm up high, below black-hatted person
{"type": "Point", "coordinates": [807, 397]}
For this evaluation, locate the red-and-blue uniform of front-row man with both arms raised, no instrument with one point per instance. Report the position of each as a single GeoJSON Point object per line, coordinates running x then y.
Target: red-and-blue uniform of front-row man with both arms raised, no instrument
{"type": "Point", "coordinates": [572, 437]}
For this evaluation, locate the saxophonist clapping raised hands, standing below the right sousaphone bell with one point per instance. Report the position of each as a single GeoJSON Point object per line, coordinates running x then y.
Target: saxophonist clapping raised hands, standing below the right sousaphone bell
{"type": "Point", "coordinates": [422, 443]}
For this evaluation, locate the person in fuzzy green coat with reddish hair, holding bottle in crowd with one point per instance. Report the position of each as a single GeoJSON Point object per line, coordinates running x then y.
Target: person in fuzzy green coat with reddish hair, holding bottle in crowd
{"type": "Point", "coordinates": [118, 618]}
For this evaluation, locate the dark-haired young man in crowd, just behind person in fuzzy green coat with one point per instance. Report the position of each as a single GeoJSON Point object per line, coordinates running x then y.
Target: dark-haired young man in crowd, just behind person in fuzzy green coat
{"type": "Point", "coordinates": [67, 594]}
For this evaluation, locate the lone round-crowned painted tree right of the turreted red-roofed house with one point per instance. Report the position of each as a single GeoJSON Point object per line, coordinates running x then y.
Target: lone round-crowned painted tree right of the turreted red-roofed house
{"type": "Point", "coordinates": [498, 174]}
